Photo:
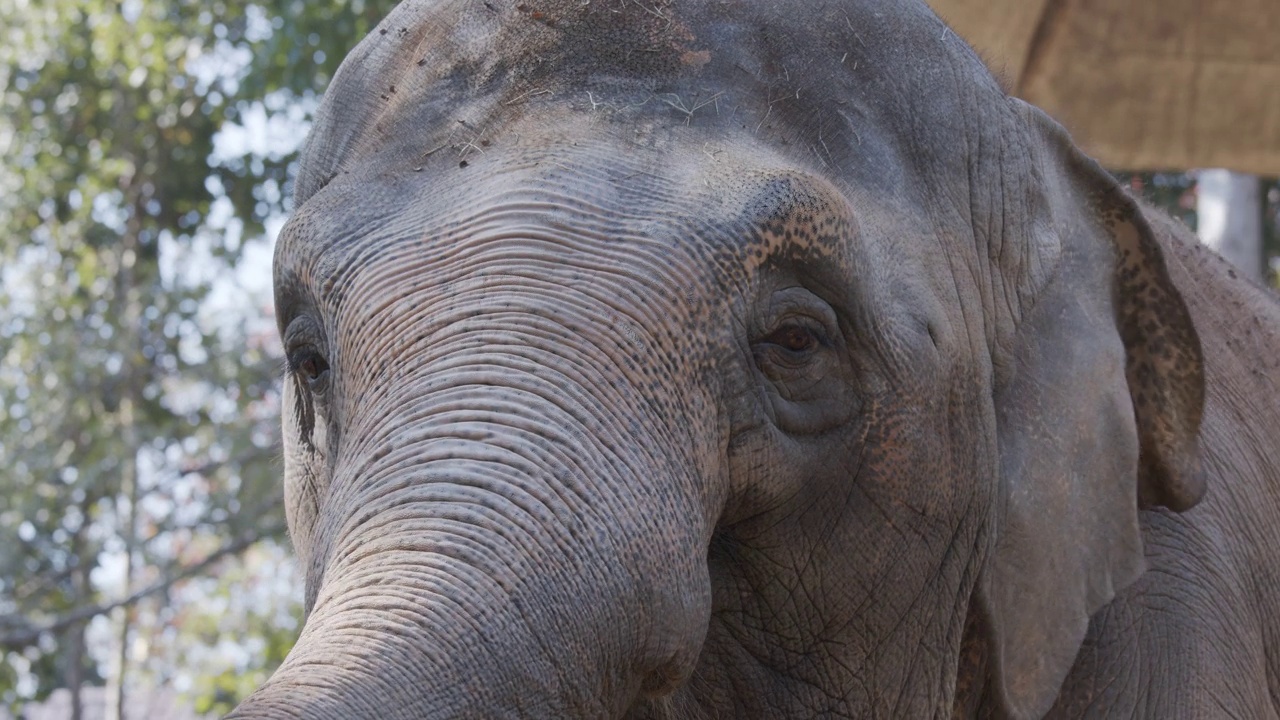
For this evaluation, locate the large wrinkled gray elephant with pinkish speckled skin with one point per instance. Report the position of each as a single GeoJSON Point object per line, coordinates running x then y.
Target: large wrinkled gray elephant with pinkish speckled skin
{"type": "Point", "coordinates": [755, 361]}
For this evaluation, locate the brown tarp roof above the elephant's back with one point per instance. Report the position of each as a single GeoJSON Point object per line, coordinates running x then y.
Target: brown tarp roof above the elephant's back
{"type": "Point", "coordinates": [1142, 84]}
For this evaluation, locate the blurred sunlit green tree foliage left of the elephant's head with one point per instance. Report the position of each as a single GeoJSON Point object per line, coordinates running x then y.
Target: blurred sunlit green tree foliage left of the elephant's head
{"type": "Point", "coordinates": [138, 423]}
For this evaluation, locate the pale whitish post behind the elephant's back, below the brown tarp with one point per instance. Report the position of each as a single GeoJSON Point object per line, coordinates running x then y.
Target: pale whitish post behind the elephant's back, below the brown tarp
{"type": "Point", "coordinates": [1229, 207]}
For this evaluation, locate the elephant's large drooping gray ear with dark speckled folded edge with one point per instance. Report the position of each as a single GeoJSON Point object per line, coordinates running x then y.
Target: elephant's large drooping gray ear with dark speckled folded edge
{"type": "Point", "coordinates": [1099, 400]}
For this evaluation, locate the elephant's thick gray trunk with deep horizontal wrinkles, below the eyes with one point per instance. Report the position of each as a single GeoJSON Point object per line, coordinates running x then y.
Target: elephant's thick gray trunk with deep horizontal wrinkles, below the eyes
{"type": "Point", "coordinates": [497, 555]}
